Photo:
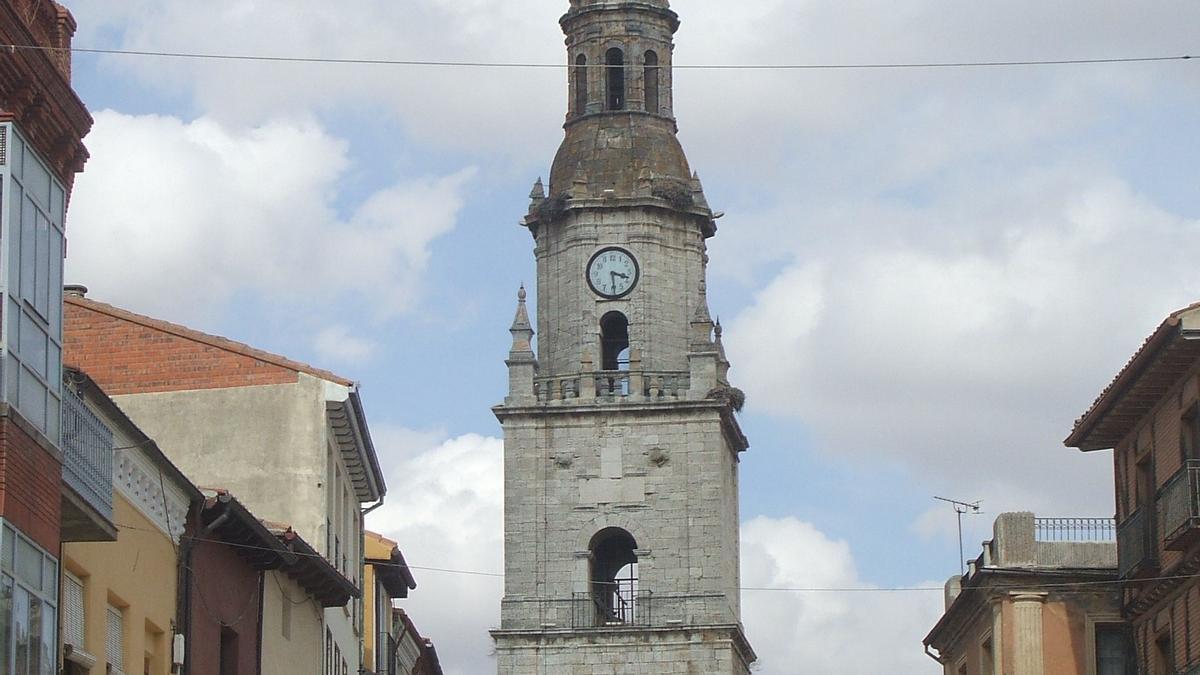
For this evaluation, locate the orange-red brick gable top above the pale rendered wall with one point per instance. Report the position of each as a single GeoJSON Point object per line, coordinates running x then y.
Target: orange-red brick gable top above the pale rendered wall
{"type": "Point", "coordinates": [125, 357]}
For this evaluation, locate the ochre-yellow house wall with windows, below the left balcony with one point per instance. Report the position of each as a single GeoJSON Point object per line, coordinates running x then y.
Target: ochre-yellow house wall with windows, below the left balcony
{"type": "Point", "coordinates": [136, 574]}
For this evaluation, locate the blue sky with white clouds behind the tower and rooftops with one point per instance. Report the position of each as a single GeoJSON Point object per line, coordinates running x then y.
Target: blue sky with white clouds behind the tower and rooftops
{"type": "Point", "coordinates": [926, 276]}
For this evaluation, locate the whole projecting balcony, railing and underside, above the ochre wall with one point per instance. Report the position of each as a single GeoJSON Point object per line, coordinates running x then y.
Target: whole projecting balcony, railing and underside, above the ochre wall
{"type": "Point", "coordinates": [87, 473]}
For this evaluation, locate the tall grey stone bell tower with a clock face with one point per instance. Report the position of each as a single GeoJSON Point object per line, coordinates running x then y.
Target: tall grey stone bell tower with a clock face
{"type": "Point", "coordinates": [621, 438]}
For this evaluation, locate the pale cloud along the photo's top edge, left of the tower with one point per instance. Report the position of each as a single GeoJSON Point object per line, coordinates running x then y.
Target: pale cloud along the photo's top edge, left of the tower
{"type": "Point", "coordinates": [501, 110]}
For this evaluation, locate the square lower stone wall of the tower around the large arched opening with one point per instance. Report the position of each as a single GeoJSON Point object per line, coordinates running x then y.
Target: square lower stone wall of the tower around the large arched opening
{"type": "Point", "coordinates": [665, 476]}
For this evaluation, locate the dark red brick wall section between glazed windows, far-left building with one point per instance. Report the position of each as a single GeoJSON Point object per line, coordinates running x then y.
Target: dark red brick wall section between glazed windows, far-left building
{"type": "Point", "coordinates": [31, 480]}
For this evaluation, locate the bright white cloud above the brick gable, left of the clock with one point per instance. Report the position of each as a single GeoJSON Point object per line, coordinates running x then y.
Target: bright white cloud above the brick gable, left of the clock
{"type": "Point", "coordinates": [176, 218]}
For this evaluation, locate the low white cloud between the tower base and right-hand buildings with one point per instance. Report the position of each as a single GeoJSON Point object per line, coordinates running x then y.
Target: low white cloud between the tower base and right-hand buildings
{"type": "Point", "coordinates": [796, 629]}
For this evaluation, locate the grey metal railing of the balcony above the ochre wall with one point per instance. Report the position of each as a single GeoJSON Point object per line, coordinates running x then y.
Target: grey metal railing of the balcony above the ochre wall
{"type": "Point", "coordinates": [87, 455]}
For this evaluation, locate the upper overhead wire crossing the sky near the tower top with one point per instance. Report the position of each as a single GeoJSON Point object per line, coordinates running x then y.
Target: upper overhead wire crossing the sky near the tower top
{"type": "Point", "coordinates": [416, 63]}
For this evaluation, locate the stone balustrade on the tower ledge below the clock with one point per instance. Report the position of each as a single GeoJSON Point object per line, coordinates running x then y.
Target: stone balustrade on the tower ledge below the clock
{"type": "Point", "coordinates": [613, 386]}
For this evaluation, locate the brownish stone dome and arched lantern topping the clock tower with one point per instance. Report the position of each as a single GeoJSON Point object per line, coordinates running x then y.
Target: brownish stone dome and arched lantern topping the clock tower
{"type": "Point", "coordinates": [621, 129]}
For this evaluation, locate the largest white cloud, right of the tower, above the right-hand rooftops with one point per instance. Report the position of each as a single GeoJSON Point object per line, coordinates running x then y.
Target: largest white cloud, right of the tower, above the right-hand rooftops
{"type": "Point", "coordinates": [968, 357]}
